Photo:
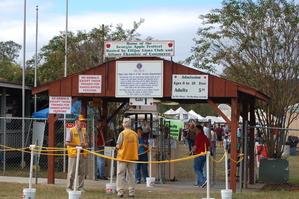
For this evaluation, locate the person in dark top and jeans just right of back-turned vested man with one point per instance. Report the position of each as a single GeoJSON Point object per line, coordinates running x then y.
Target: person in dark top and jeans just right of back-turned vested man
{"type": "Point", "coordinates": [142, 156]}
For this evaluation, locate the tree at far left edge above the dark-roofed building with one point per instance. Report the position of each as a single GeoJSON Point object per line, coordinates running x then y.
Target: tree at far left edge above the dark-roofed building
{"type": "Point", "coordinates": [9, 69]}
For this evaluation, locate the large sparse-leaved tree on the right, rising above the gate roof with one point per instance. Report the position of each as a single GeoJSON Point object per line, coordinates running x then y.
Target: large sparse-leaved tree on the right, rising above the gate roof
{"type": "Point", "coordinates": [256, 42]}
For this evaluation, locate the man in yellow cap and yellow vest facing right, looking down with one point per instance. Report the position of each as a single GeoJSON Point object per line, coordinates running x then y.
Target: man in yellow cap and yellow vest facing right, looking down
{"type": "Point", "coordinates": [76, 136]}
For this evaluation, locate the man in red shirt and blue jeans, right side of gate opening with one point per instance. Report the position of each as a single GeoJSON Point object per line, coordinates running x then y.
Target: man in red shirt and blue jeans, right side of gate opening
{"type": "Point", "coordinates": [201, 145]}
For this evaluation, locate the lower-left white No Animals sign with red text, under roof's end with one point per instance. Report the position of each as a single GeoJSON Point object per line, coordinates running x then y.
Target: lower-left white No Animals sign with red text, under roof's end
{"type": "Point", "coordinates": [60, 105]}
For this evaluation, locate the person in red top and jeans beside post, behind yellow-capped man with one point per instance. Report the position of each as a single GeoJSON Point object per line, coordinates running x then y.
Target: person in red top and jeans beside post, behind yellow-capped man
{"type": "Point", "coordinates": [100, 149]}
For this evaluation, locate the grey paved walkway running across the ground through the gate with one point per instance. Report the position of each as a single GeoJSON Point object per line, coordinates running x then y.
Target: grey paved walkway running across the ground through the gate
{"type": "Point", "coordinates": [179, 185]}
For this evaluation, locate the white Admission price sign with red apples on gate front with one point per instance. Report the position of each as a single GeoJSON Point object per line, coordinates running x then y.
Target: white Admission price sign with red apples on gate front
{"type": "Point", "coordinates": [190, 86]}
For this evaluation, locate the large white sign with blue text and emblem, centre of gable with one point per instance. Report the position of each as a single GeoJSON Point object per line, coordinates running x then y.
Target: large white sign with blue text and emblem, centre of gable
{"type": "Point", "coordinates": [139, 79]}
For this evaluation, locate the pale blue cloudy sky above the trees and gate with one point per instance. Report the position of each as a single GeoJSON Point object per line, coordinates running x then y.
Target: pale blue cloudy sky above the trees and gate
{"type": "Point", "coordinates": [164, 19]}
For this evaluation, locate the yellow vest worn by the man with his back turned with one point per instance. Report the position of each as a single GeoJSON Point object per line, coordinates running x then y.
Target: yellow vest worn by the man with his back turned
{"type": "Point", "coordinates": [129, 147]}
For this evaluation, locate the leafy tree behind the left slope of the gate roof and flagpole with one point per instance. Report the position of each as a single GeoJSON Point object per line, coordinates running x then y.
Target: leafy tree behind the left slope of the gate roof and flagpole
{"type": "Point", "coordinates": [85, 50]}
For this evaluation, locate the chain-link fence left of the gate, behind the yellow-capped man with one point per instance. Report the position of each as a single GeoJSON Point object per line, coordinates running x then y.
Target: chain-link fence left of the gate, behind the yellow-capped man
{"type": "Point", "coordinates": [17, 134]}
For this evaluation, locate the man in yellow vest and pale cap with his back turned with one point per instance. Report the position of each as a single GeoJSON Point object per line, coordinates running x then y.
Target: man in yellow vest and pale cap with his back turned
{"type": "Point", "coordinates": [127, 146]}
